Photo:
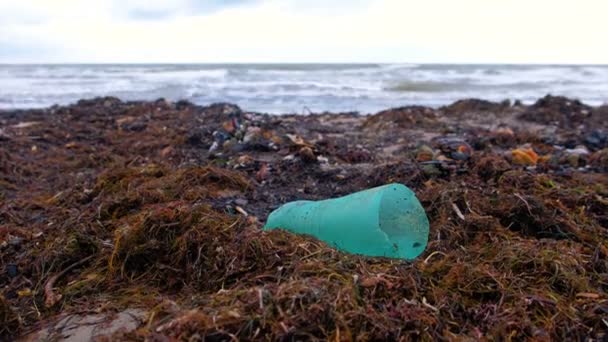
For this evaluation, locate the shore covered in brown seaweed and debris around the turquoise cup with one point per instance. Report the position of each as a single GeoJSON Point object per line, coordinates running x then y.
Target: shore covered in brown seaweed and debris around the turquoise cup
{"type": "Point", "coordinates": [142, 220]}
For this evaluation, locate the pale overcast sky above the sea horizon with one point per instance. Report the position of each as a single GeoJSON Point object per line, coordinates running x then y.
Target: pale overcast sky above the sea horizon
{"type": "Point", "coordinates": [222, 31]}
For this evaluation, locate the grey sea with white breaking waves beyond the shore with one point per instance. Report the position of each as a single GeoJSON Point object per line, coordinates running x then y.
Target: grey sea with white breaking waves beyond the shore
{"type": "Point", "coordinates": [300, 88]}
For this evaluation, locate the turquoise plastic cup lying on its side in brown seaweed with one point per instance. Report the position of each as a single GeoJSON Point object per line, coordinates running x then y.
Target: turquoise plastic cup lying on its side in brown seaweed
{"type": "Point", "coordinates": [386, 221]}
